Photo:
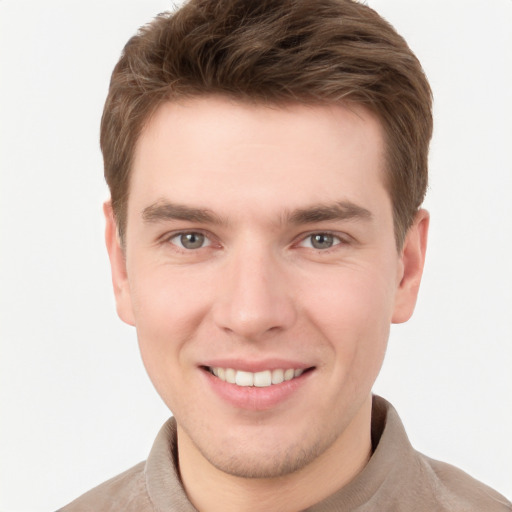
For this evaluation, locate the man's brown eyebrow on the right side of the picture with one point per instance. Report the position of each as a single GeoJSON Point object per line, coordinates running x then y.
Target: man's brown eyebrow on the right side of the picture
{"type": "Point", "coordinates": [342, 210]}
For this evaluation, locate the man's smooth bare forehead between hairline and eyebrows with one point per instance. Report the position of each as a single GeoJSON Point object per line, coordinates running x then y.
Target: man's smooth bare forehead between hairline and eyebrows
{"type": "Point", "coordinates": [218, 153]}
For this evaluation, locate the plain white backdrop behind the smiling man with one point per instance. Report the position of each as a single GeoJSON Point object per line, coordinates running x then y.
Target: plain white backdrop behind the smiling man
{"type": "Point", "coordinates": [76, 404]}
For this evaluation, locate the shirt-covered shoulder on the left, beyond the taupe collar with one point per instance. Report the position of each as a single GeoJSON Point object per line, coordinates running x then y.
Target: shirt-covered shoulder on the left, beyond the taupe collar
{"type": "Point", "coordinates": [125, 492]}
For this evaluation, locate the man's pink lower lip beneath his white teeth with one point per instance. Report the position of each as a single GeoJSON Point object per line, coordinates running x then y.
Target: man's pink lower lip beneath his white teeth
{"type": "Point", "coordinates": [253, 397]}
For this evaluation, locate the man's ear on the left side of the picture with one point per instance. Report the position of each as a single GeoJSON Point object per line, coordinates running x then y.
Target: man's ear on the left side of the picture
{"type": "Point", "coordinates": [118, 267]}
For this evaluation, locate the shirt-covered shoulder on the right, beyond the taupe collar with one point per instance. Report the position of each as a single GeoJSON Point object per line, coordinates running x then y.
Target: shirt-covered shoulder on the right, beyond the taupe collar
{"type": "Point", "coordinates": [456, 490]}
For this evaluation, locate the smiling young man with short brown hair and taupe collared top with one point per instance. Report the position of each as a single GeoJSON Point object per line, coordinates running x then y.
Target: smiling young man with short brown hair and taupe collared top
{"type": "Point", "coordinates": [267, 163]}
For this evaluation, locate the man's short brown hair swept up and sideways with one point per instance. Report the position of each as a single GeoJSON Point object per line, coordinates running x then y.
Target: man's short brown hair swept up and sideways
{"type": "Point", "coordinates": [274, 52]}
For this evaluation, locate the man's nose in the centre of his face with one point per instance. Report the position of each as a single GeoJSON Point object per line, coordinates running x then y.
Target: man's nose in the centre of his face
{"type": "Point", "coordinates": [254, 296]}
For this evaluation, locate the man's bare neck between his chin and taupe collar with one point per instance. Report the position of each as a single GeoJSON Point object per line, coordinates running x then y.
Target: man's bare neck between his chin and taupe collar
{"type": "Point", "coordinates": [212, 490]}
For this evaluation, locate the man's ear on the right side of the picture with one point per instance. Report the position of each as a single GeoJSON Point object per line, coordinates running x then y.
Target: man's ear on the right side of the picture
{"type": "Point", "coordinates": [412, 259]}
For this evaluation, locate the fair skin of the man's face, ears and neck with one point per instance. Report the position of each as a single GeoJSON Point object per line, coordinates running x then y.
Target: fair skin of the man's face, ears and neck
{"type": "Point", "coordinates": [259, 291]}
